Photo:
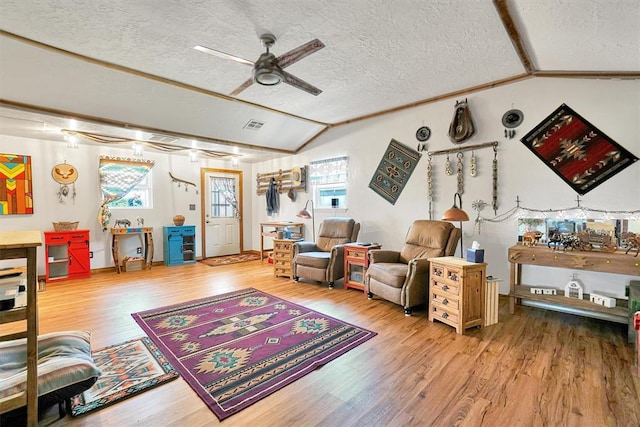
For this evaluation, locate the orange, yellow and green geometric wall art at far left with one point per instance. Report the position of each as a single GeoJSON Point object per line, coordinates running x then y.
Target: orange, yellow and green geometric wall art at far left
{"type": "Point", "coordinates": [16, 193]}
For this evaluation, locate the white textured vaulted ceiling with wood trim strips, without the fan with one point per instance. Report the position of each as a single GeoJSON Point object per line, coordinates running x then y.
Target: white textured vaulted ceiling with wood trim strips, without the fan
{"type": "Point", "coordinates": [119, 66]}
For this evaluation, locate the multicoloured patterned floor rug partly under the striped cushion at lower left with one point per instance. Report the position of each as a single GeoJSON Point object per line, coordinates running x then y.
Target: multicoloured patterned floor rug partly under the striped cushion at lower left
{"type": "Point", "coordinates": [127, 369]}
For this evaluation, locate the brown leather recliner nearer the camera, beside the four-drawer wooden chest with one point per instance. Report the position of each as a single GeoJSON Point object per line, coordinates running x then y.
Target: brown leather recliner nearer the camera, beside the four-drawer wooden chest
{"type": "Point", "coordinates": [403, 277]}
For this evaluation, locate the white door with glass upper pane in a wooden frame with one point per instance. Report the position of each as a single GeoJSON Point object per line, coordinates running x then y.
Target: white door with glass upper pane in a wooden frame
{"type": "Point", "coordinates": [222, 213]}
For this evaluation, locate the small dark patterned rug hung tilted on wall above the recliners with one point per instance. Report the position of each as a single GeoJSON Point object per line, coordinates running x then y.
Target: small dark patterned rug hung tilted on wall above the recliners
{"type": "Point", "coordinates": [394, 171]}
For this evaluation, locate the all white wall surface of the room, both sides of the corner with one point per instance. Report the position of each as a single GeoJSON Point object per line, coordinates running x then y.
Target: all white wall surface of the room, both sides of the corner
{"type": "Point", "coordinates": [612, 106]}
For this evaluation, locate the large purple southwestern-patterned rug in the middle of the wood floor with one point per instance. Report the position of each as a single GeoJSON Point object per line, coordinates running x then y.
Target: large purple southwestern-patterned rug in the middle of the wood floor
{"type": "Point", "coordinates": [237, 348]}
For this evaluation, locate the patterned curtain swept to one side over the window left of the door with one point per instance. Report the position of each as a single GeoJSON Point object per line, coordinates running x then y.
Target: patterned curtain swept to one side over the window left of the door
{"type": "Point", "coordinates": [118, 176]}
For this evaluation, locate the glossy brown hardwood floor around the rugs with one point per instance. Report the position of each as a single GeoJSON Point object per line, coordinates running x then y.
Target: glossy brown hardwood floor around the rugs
{"type": "Point", "coordinates": [534, 368]}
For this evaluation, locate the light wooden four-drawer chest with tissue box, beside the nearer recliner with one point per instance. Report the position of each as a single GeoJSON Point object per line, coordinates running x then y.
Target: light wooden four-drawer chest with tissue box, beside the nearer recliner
{"type": "Point", "coordinates": [456, 292]}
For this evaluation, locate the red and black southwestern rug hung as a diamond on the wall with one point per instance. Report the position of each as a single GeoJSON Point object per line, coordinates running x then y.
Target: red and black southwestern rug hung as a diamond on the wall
{"type": "Point", "coordinates": [578, 152]}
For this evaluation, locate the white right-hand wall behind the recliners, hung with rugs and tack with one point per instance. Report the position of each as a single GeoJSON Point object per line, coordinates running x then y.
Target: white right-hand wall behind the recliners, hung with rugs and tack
{"type": "Point", "coordinates": [612, 106]}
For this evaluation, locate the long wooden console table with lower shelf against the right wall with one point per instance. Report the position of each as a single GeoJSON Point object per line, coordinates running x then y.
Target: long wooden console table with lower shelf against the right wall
{"type": "Point", "coordinates": [607, 262]}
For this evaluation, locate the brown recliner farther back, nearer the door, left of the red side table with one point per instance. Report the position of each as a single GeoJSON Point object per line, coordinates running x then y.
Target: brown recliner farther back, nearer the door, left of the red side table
{"type": "Point", "coordinates": [323, 260]}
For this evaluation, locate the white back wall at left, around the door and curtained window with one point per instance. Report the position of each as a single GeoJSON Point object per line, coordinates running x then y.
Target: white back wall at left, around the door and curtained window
{"type": "Point", "coordinates": [168, 198]}
